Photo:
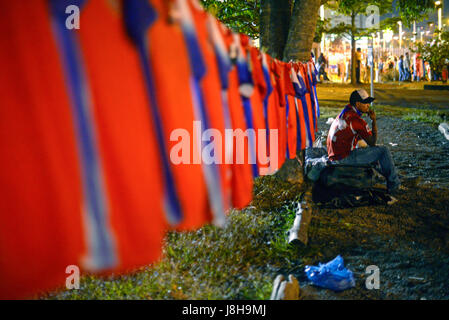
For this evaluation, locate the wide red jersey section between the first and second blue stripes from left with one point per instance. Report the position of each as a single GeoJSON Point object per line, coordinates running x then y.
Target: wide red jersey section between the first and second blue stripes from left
{"type": "Point", "coordinates": [126, 139]}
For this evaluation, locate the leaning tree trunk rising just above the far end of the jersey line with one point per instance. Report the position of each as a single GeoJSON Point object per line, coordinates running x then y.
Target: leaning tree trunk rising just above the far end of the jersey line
{"type": "Point", "coordinates": [302, 30]}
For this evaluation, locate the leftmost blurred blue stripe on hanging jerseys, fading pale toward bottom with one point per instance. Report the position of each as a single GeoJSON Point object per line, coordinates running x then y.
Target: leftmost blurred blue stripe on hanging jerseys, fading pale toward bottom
{"type": "Point", "coordinates": [100, 241]}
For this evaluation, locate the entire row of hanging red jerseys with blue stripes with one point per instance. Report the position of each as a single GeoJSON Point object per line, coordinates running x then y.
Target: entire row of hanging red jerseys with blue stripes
{"type": "Point", "coordinates": [87, 121]}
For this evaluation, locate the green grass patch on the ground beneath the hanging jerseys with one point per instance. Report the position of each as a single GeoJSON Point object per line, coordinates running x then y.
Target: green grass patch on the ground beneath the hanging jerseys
{"type": "Point", "coordinates": [238, 261]}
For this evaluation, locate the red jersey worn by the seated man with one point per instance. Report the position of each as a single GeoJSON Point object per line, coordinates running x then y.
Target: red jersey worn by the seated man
{"type": "Point", "coordinates": [344, 133]}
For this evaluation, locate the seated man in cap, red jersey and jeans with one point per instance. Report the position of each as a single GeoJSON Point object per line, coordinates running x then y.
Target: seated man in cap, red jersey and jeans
{"type": "Point", "coordinates": [348, 128]}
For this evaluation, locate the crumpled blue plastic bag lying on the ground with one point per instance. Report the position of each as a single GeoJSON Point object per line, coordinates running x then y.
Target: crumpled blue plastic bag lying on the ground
{"type": "Point", "coordinates": [332, 275]}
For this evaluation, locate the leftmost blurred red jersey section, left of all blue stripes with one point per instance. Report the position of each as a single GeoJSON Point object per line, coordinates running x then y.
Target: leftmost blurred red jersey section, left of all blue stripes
{"type": "Point", "coordinates": [41, 229]}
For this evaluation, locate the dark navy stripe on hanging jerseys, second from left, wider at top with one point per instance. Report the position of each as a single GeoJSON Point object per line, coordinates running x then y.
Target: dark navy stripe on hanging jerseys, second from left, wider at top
{"type": "Point", "coordinates": [138, 17]}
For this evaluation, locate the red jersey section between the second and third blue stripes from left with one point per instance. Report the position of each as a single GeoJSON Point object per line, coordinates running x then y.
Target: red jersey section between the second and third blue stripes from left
{"type": "Point", "coordinates": [171, 72]}
